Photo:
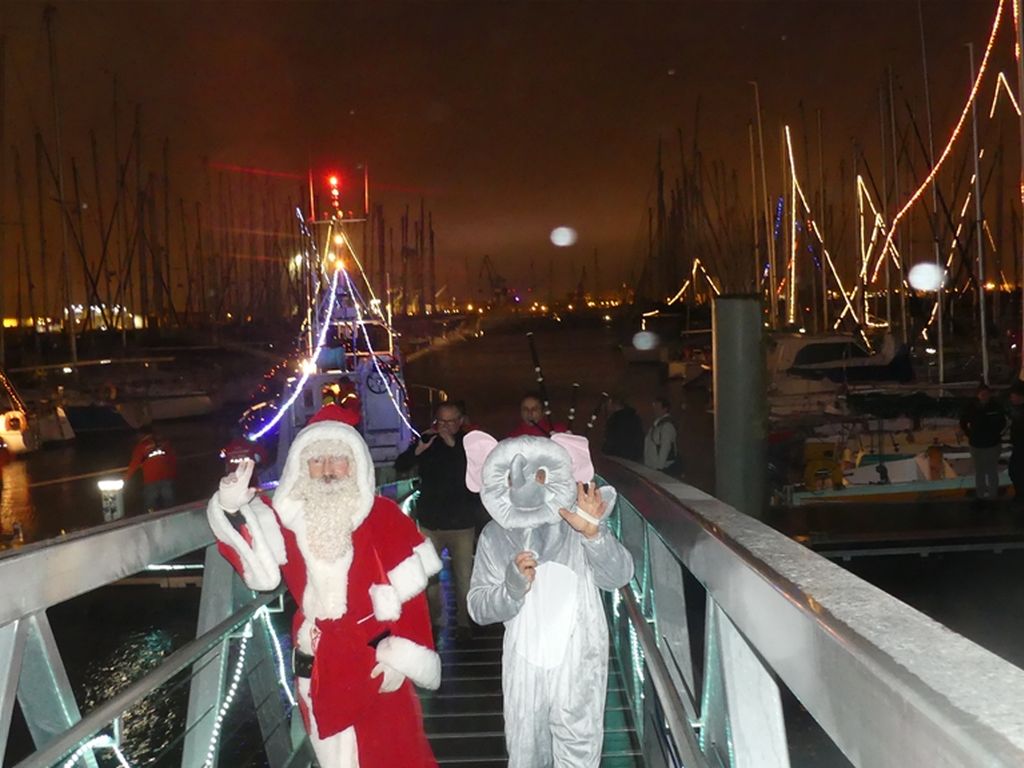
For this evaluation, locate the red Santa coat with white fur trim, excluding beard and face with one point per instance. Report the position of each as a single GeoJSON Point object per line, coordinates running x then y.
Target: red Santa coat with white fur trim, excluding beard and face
{"type": "Point", "coordinates": [365, 609]}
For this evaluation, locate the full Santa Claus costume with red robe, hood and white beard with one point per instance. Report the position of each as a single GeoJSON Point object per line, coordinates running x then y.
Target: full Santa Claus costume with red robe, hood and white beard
{"type": "Point", "coordinates": [358, 569]}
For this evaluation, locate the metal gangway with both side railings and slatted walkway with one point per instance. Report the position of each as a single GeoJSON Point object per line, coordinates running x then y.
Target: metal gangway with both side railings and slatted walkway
{"type": "Point", "coordinates": [726, 623]}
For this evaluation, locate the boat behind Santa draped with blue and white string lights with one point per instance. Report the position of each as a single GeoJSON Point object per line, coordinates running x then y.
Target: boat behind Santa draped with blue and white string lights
{"type": "Point", "coordinates": [348, 354]}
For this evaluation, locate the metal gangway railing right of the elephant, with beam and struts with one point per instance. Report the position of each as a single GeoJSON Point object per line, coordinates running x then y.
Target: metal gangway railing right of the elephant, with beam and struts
{"type": "Point", "coordinates": [887, 685]}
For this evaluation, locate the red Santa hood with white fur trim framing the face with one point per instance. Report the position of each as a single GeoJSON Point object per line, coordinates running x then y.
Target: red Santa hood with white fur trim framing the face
{"type": "Point", "coordinates": [332, 423]}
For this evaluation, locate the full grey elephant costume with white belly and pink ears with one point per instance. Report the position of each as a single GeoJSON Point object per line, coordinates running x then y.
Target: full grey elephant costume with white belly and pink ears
{"type": "Point", "coordinates": [556, 656]}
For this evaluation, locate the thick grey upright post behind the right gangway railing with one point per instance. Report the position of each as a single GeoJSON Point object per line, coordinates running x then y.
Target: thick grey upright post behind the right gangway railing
{"type": "Point", "coordinates": [740, 403]}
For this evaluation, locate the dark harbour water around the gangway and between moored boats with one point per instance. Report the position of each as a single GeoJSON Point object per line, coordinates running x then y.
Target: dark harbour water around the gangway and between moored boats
{"type": "Point", "coordinates": [116, 635]}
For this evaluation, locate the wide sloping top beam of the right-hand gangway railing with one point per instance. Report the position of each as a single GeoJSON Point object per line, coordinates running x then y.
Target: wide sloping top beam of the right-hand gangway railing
{"type": "Point", "coordinates": [888, 685]}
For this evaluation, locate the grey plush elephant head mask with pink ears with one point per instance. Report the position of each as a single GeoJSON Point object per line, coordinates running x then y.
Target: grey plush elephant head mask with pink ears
{"type": "Point", "coordinates": [524, 482]}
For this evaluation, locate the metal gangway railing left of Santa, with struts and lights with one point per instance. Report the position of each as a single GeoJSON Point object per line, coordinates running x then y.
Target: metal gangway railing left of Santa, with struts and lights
{"type": "Point", "coordinates": [236, 653]}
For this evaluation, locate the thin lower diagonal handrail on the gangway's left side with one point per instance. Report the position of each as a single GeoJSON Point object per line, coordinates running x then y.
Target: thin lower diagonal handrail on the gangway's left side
{"type": "Point", "coordinates": [105, 713]}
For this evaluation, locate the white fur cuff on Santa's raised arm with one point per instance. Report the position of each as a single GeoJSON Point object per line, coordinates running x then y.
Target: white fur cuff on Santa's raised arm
{"type": "Point", "coordinates": [262, 563]}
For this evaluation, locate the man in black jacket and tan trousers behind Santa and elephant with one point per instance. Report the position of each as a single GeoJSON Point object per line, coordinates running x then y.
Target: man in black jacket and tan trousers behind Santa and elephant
{"type": "Point", "coordinates": [446, 509]}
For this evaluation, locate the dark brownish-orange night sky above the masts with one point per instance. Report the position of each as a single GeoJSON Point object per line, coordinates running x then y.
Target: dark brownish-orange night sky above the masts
{"type": "Point", "coordinates": [511, 118]}
